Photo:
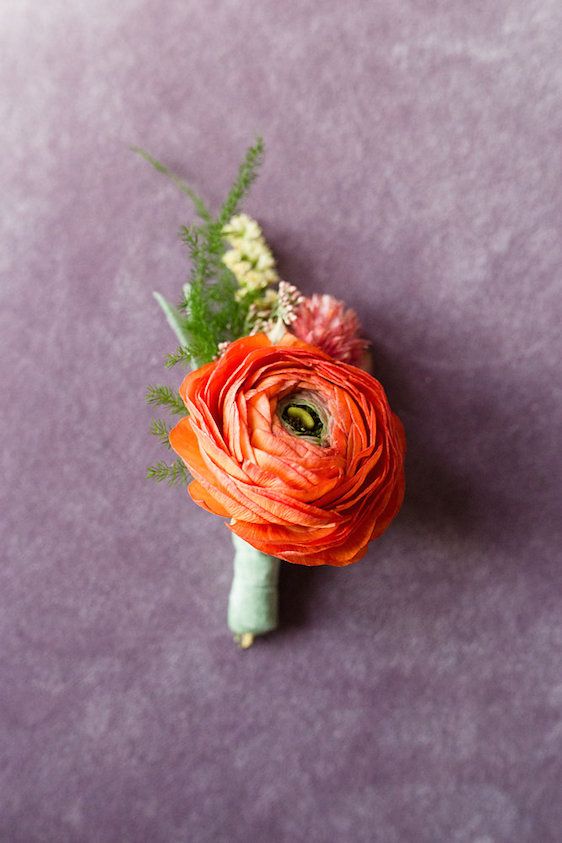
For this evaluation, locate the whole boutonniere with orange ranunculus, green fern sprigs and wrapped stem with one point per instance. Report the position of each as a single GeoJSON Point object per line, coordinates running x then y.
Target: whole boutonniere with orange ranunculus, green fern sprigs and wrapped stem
{"type": "Point", "coordinates": [282, 430]}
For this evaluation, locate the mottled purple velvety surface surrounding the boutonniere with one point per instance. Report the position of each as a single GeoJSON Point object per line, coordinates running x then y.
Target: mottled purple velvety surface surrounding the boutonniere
{"type": "Point", "coordinates": [413, 167]}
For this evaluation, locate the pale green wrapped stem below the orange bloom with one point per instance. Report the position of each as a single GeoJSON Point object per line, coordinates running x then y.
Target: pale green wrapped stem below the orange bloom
{"type": "Point", "coordinates": [253, 601]}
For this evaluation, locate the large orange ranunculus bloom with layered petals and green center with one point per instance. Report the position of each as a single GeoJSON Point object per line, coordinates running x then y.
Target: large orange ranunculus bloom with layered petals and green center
{"type": "Point", "coordinates": [300, 451]}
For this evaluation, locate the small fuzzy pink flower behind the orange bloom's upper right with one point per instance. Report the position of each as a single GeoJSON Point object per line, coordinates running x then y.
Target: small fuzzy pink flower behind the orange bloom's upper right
{"type": "Point", "coordinates": [325, 322]}
